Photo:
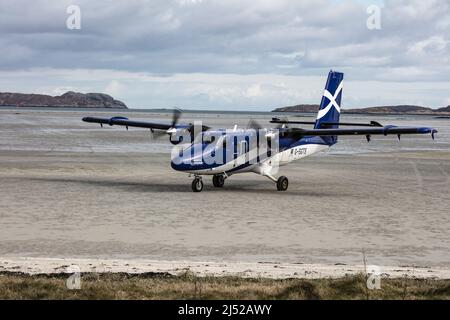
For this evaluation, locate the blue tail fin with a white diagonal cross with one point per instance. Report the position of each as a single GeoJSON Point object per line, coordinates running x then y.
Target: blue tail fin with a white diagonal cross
{"type": "Point", "coordinates": [330, 106]}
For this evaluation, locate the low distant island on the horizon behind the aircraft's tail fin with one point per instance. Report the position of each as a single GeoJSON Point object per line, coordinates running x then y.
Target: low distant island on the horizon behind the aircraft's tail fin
{"type": "Point", "coordinates": [392, 110]}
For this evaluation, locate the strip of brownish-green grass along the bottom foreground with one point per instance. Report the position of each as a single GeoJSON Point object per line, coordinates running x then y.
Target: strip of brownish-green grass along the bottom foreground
{"type": "Point", "coordinates": [188, 286]}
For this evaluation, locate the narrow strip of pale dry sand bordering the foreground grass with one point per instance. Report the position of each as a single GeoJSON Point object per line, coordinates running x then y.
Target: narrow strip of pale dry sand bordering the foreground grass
{"type": "Point", "coordinates": [49, 266]}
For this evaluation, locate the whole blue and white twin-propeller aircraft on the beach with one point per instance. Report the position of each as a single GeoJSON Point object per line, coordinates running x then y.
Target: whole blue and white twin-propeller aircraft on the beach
{"type": "Point", "coordinates": [200, 150]}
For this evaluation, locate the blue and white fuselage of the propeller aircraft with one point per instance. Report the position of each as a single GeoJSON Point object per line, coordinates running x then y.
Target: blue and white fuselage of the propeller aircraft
{"type": "Point", "coordinates": [243, 151]}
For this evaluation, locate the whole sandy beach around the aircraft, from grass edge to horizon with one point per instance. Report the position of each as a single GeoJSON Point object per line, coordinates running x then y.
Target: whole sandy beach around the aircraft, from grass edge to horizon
{"type": "Point", "coordinates": [74, 191]}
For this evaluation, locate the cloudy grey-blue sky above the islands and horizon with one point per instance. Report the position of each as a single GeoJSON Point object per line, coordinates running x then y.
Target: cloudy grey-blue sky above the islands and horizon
{"type": "Point", "coordinates": [228, 54]}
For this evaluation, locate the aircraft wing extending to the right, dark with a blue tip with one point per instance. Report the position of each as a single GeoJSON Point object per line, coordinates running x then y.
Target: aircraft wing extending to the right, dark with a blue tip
{"type": "Point", "coordinates": [386, 130]}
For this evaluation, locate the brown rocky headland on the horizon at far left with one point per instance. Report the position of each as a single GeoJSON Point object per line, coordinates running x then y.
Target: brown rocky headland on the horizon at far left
{"type": "Point", "coordinates": [69, 99]}
